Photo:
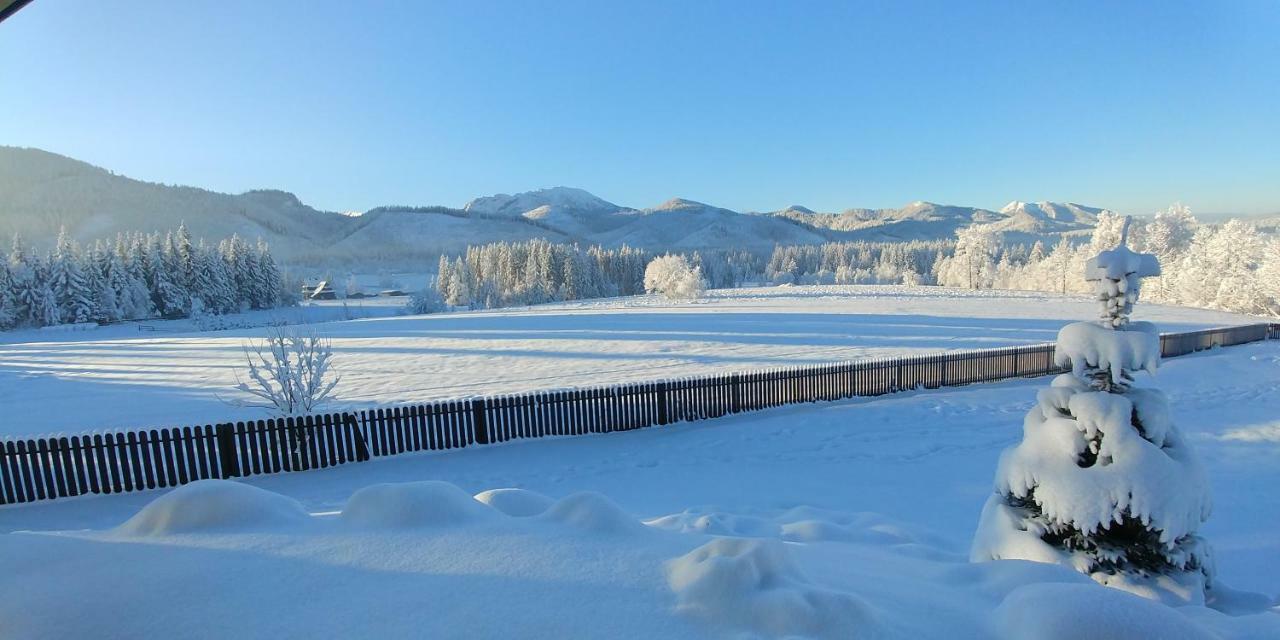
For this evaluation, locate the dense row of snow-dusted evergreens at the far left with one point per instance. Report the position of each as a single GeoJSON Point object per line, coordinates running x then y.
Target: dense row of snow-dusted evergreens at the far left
{"type": "Point", "coordinates": [138, 277]}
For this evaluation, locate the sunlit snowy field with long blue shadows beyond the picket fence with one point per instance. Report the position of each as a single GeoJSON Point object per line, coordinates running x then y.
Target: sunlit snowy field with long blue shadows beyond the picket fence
{"type": "Point", "coordinates": [122, 377]}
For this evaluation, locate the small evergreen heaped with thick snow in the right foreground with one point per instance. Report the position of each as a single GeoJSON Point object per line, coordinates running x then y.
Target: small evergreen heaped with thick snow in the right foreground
{"type": "Point", "coordinates": [1103, 481]}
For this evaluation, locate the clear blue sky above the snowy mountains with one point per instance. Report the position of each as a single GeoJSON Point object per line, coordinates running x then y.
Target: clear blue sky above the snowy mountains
{"type": "Point", "coordinates": [748, 106]}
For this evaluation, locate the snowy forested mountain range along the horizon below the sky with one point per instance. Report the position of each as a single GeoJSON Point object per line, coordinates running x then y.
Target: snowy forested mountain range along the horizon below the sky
{"type": "Point", "coordinates": [42, 193]}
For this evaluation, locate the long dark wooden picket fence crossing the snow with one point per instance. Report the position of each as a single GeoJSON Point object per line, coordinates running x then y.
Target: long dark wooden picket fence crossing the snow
{"type": "Point", "coordinates": [103, 464]}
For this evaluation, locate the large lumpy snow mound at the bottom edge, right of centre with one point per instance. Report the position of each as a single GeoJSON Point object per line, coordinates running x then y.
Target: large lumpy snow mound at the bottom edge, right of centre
{"type": "Point", "coordinates": [752, 586]}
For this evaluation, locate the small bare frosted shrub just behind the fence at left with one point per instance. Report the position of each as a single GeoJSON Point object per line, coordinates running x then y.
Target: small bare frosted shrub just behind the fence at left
{"type": "Point", "coordinates": [289, 373]}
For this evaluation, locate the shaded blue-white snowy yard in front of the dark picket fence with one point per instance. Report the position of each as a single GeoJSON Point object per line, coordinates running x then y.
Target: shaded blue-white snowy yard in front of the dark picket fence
{"type": "Point", "coordinates": [838, 520]}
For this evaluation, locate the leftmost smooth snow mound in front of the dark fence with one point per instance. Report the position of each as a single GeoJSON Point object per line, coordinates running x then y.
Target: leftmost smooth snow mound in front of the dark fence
{"type": "Point", "coordinates": [216, 506]}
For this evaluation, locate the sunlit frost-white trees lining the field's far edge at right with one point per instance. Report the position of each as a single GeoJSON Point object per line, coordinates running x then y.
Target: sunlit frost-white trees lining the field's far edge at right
{"type": "Point", "coordinates": [1232, 267]}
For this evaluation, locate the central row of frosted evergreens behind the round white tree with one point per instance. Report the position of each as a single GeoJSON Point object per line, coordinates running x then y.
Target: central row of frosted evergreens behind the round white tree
{"type": "Point", "coordinates": [505, 275]}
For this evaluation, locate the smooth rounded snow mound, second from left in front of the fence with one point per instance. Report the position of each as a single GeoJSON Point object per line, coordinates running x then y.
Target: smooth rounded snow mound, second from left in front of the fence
{"type": "Point", "coordinates": [414, 505]}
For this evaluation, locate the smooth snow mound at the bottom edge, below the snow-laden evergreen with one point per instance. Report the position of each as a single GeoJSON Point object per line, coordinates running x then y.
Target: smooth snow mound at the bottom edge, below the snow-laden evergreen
{"type": "Point", "coordinates": [1072, 612]}
